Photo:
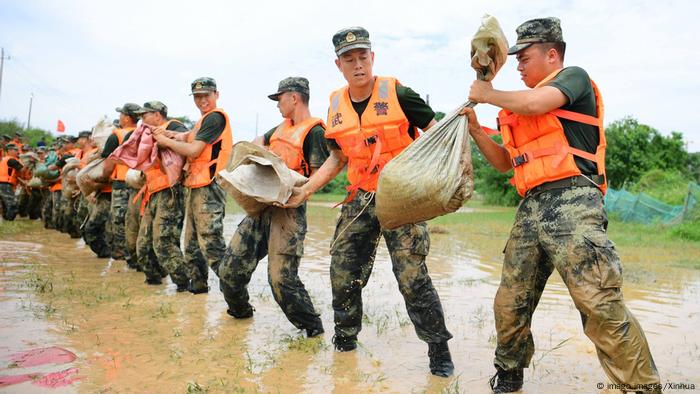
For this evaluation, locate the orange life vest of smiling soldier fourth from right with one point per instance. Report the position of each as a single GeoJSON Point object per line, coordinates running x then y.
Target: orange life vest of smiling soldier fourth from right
{"type": "Point", "coordinates": [199, 170]}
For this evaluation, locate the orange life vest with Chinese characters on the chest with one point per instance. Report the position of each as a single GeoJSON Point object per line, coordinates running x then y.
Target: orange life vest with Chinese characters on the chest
{"type": "Point", "coordinates": [371, 141]}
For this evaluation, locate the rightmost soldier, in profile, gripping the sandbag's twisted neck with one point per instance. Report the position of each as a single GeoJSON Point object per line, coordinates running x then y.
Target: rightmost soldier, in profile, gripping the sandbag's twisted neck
{"type": "Point", "coordinates": [554, 140]}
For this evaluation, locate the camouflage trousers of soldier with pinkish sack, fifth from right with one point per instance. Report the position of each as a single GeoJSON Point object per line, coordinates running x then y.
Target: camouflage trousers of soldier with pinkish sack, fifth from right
{"type": "Point", "coordinates": [158, 245]}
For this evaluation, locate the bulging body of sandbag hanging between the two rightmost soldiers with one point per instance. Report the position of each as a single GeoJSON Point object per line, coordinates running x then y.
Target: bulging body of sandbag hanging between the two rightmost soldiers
{"type": "Point", "coordinates": [431, 177]}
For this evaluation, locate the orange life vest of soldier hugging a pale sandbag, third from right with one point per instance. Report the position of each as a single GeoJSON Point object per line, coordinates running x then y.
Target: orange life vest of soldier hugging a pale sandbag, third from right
{"type": "Point", "coordinates": [287, 142]}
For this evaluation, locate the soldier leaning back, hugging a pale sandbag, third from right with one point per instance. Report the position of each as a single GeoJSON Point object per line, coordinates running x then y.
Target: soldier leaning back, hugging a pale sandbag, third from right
{"type": "Point", "coordinates": [278, 232]}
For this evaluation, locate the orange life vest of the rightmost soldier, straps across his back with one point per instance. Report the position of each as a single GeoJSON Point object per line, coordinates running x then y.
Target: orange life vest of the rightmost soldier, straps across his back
{"type": "Point", "coordinates": [538, 147]}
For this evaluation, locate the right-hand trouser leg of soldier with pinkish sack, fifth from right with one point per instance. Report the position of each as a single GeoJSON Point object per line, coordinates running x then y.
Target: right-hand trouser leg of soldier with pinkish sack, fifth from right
{"type": "Point", "coordinates": [167, 229]}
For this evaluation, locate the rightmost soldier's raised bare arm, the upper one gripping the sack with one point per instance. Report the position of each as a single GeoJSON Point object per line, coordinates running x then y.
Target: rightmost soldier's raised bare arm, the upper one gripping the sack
{"type": "Point", "coordinates": [535, 101]}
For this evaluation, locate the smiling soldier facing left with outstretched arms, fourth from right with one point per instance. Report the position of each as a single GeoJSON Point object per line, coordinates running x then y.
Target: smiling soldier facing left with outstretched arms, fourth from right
{"type": "Point", "coordinates": [207, 148]}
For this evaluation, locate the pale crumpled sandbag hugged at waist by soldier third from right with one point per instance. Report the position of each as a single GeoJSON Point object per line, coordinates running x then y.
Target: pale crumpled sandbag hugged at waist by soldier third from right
{"type": "Point", "coordinates": [257, 178]}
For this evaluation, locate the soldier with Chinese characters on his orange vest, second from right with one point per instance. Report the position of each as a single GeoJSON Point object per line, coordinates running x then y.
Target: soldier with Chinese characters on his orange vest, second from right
{"type": "Point", "coordinates": [375, 117]}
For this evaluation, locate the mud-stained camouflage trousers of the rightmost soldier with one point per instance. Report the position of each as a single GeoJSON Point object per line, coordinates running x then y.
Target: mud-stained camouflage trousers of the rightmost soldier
{"type": "Point", "coordinates": [566, 229]}
